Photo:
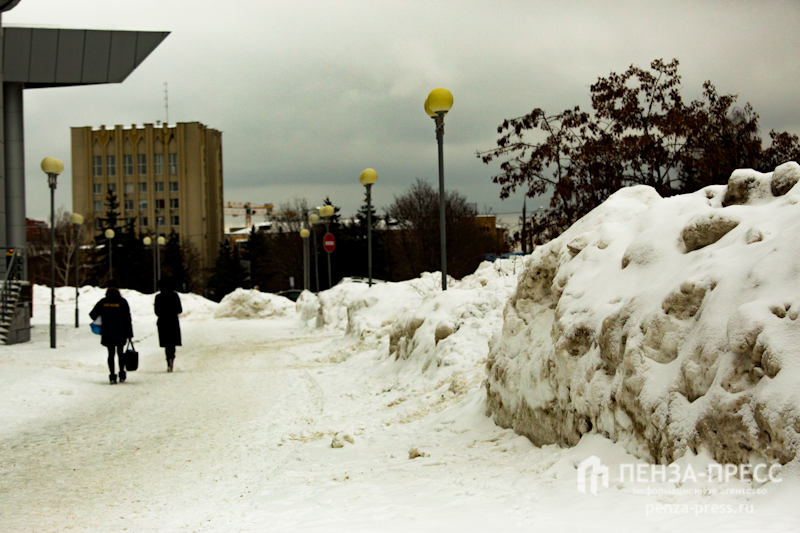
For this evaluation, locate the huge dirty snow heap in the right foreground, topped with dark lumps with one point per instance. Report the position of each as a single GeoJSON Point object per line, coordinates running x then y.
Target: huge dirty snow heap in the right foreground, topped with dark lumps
{"type": "Point", "coordinates": [666, 324]}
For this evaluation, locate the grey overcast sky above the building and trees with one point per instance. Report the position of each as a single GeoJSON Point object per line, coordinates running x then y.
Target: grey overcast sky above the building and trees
{"type": "Point", "coordinates": [310, 93]}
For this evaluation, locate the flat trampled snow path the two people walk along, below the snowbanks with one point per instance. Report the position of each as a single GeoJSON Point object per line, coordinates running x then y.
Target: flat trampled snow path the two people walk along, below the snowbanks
{"type": "Point", "coordinates": [239, 439]}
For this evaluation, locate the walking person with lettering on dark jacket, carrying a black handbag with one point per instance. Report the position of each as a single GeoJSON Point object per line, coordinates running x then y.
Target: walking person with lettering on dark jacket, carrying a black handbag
{"type": "Point", "coordinates": [116, 329]}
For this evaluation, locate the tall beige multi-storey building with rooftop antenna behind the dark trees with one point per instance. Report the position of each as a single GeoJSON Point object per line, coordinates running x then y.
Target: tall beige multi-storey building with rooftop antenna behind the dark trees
{"type": "Point", "coordinates": [167, 178]}
